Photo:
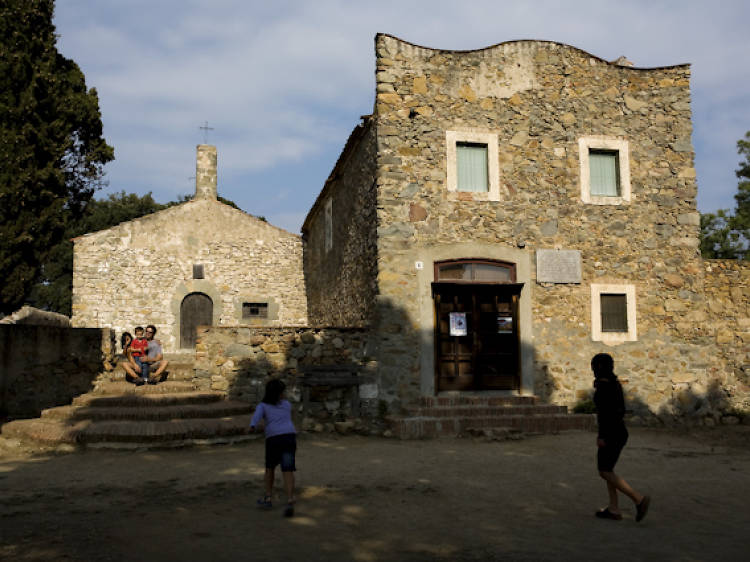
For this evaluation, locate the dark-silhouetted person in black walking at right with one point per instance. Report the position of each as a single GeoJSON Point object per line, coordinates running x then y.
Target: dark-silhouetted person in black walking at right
{"type": "Point", "coordinates": [612, 436]}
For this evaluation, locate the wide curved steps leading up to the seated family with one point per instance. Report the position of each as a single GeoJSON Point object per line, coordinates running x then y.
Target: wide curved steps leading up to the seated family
{"type": "Point", "coordinates": [117, 414]}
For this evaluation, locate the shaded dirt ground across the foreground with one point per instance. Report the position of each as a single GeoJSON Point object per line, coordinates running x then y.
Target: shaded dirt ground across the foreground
{"type": "Point", "coordinates": [378, 499]}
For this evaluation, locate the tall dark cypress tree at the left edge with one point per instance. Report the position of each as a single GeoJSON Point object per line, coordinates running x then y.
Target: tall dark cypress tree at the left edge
{"type": "Point", "coordinates": [51, 147]}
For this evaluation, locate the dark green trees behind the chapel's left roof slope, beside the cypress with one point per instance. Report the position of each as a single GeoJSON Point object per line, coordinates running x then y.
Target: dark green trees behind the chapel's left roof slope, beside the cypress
{"type": "Point", "coordinates": [54, 287]}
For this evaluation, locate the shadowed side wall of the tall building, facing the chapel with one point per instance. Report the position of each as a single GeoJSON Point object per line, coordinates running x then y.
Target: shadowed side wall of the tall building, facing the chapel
{"type": "Point", "coordinates": [340, 281]}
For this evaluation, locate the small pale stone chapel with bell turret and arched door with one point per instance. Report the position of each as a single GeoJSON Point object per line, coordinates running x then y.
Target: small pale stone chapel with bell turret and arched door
{"type": "Point", "coordinates": [198, 263]}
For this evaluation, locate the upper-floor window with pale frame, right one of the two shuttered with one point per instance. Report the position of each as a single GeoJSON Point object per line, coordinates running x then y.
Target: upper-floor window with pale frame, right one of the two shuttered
{"type": "Point", "coordinates": [604, 170]}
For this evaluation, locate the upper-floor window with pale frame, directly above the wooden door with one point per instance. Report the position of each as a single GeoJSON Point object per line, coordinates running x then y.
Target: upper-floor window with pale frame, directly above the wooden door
{"type": "Point", "coordinates": [472, 164]}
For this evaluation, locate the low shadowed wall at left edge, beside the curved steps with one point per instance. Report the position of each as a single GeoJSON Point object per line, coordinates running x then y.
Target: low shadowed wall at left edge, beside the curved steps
{"type": "Point", "coordinates": [46, 366]}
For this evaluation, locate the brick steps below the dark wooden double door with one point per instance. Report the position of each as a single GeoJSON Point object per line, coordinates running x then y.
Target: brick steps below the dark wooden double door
{"type": "Point", "coordinates": [457, 415]}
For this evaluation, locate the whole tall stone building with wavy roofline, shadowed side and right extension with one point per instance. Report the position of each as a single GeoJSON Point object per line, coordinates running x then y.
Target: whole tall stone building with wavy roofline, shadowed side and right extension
{"type": "Point", "coordinates": [508, 212]}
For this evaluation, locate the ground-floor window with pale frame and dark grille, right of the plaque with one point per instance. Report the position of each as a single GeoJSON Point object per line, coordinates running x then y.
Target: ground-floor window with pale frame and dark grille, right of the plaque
{"type": "Point", "coordinates": [613, 313]}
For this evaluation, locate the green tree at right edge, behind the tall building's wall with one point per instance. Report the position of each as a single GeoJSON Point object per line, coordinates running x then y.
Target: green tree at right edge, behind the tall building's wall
{"type": "Point", "coordinates": [724, 234]}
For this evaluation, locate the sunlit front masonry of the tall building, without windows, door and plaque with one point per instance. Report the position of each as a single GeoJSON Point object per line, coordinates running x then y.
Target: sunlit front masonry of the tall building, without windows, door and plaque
{"type": "Point", "coordinates": [540, 98]}
